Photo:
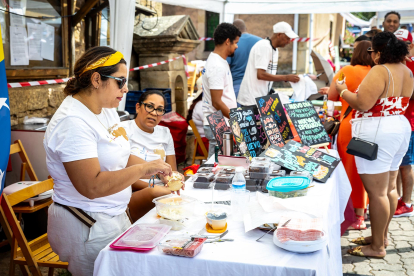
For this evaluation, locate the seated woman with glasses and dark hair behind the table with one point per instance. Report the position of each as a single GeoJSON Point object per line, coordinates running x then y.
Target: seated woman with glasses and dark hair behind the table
{"type": "Point", "coordinates": [149, 142]}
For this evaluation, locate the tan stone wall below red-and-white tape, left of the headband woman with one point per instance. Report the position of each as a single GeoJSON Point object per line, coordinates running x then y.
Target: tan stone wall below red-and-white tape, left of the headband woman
{"type": "Point", "coordinates": [37, 101]}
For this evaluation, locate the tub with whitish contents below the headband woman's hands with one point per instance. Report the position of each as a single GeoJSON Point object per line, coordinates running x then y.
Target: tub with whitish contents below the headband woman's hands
{"type": "Point", "coordinates": [175, 207]}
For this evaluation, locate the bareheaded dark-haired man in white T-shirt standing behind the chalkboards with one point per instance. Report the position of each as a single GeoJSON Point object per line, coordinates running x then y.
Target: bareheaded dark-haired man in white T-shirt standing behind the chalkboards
{"type": "Point", "coordinates": [218, 92]}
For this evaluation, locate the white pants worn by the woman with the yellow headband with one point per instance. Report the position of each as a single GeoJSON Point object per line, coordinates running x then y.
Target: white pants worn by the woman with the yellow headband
{"type": "Point", "coordinates": [78, 244]}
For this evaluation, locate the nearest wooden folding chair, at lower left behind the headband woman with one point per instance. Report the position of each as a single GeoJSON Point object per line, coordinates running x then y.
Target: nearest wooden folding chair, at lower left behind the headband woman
{"type": "Point", "coordinates": [36, 253]}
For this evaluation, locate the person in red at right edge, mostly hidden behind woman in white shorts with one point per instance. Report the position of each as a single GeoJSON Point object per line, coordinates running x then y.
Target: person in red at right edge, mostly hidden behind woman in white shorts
{"type": "Point", "coordinates": [404, 207]}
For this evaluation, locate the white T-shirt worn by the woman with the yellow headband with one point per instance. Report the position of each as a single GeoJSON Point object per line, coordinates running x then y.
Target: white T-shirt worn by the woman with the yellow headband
{"type": "Point", "coordinates": [75, 133]}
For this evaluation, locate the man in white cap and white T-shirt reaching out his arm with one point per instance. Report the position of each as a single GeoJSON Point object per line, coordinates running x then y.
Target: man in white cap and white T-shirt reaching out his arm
{"type": "Point", "coordinates": [262, 65]}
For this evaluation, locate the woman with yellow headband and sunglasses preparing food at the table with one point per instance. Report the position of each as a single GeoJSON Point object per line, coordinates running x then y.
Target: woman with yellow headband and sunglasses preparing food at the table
{"type": "Point", "coordinates": [88, 156]}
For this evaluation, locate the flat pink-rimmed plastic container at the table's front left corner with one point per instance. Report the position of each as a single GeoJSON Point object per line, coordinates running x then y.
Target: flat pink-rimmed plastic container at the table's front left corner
{"type": "Point", "coordinates": [141, 237]}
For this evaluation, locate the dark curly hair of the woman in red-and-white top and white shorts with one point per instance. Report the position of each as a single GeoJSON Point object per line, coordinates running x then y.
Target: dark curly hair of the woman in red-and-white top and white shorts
{"type": "Point", "coordinates": [392, 49]}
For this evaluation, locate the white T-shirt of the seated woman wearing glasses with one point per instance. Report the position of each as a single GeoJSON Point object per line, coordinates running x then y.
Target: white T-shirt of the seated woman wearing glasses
{"type": "Point", "coordinates": [149, 146]}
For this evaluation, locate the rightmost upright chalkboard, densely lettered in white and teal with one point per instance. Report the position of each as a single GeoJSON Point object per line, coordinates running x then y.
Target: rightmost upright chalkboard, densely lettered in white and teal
{"type": "Point", "coordinates": [307, 123]}
